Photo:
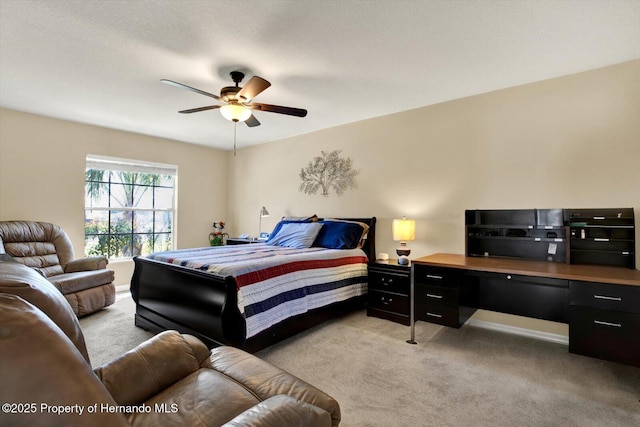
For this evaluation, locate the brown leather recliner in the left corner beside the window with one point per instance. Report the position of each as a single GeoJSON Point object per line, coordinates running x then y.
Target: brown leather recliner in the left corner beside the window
{"type": "Point", "coordinates": [85, 283]}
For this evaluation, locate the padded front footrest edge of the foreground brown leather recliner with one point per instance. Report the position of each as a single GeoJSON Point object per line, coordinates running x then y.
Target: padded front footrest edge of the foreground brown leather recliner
{"type": "Point", "coordinates": [266, 380]}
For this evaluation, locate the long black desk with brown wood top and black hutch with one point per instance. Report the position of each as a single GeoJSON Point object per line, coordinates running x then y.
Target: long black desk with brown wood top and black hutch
{"type": "Point", "coordinates": [574, 266]}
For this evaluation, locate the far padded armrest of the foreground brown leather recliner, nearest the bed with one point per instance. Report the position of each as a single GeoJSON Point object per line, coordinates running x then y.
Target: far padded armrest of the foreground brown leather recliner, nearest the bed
{"type": "Point", "coordinates": [149, 368]}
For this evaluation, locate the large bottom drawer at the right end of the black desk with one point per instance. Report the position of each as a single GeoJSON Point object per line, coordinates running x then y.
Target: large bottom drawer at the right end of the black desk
{"type": "Point", "coordinates": [610, 335]}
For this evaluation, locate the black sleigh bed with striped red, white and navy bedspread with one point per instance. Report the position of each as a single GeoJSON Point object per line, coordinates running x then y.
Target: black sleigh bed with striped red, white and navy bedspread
{"type": "Point", "coordinates": [233, 295]}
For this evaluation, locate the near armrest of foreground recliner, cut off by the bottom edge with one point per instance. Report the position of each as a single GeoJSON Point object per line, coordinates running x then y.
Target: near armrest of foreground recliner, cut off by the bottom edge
{"type": "Point", "coordinates": [280, 411]}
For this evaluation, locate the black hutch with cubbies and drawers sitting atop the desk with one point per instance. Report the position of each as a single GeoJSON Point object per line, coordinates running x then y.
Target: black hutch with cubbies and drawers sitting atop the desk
{"type": "Point", "coordinates": [570, 236]}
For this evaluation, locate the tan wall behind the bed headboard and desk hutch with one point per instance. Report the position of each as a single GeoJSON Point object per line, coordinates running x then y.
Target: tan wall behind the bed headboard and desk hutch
{"type": "Point", "coordinates": [567, 142]}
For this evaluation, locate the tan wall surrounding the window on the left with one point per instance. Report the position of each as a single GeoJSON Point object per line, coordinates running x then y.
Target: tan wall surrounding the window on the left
{"type": "Point", "coordinates": [42, 165]}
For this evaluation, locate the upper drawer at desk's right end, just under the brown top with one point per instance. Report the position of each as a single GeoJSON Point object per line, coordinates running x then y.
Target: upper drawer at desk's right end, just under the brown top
{"type": "Point", "coordinates": [605, 296]}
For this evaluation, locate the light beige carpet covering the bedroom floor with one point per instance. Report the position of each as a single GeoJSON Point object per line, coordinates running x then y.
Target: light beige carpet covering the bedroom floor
{"type": "Point", "coordinates": [466, 377]}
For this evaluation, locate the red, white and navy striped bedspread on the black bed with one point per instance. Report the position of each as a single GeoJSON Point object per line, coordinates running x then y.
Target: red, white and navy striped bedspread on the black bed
{"type": "Point", "coordinates": [275, 283]}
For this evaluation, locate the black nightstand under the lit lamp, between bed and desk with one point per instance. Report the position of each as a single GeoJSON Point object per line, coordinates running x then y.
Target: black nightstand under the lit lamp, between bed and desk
{"type": "Point", "coordinates": [389, 286]}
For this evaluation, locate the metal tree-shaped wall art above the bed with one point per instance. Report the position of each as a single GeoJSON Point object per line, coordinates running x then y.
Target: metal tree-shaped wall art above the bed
{"type": "Point", "coordinates": [328, 171]}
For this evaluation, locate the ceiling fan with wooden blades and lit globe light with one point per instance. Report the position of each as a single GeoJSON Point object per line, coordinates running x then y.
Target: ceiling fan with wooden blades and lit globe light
{"type": "Point", "coordinates": [238, 100]}
